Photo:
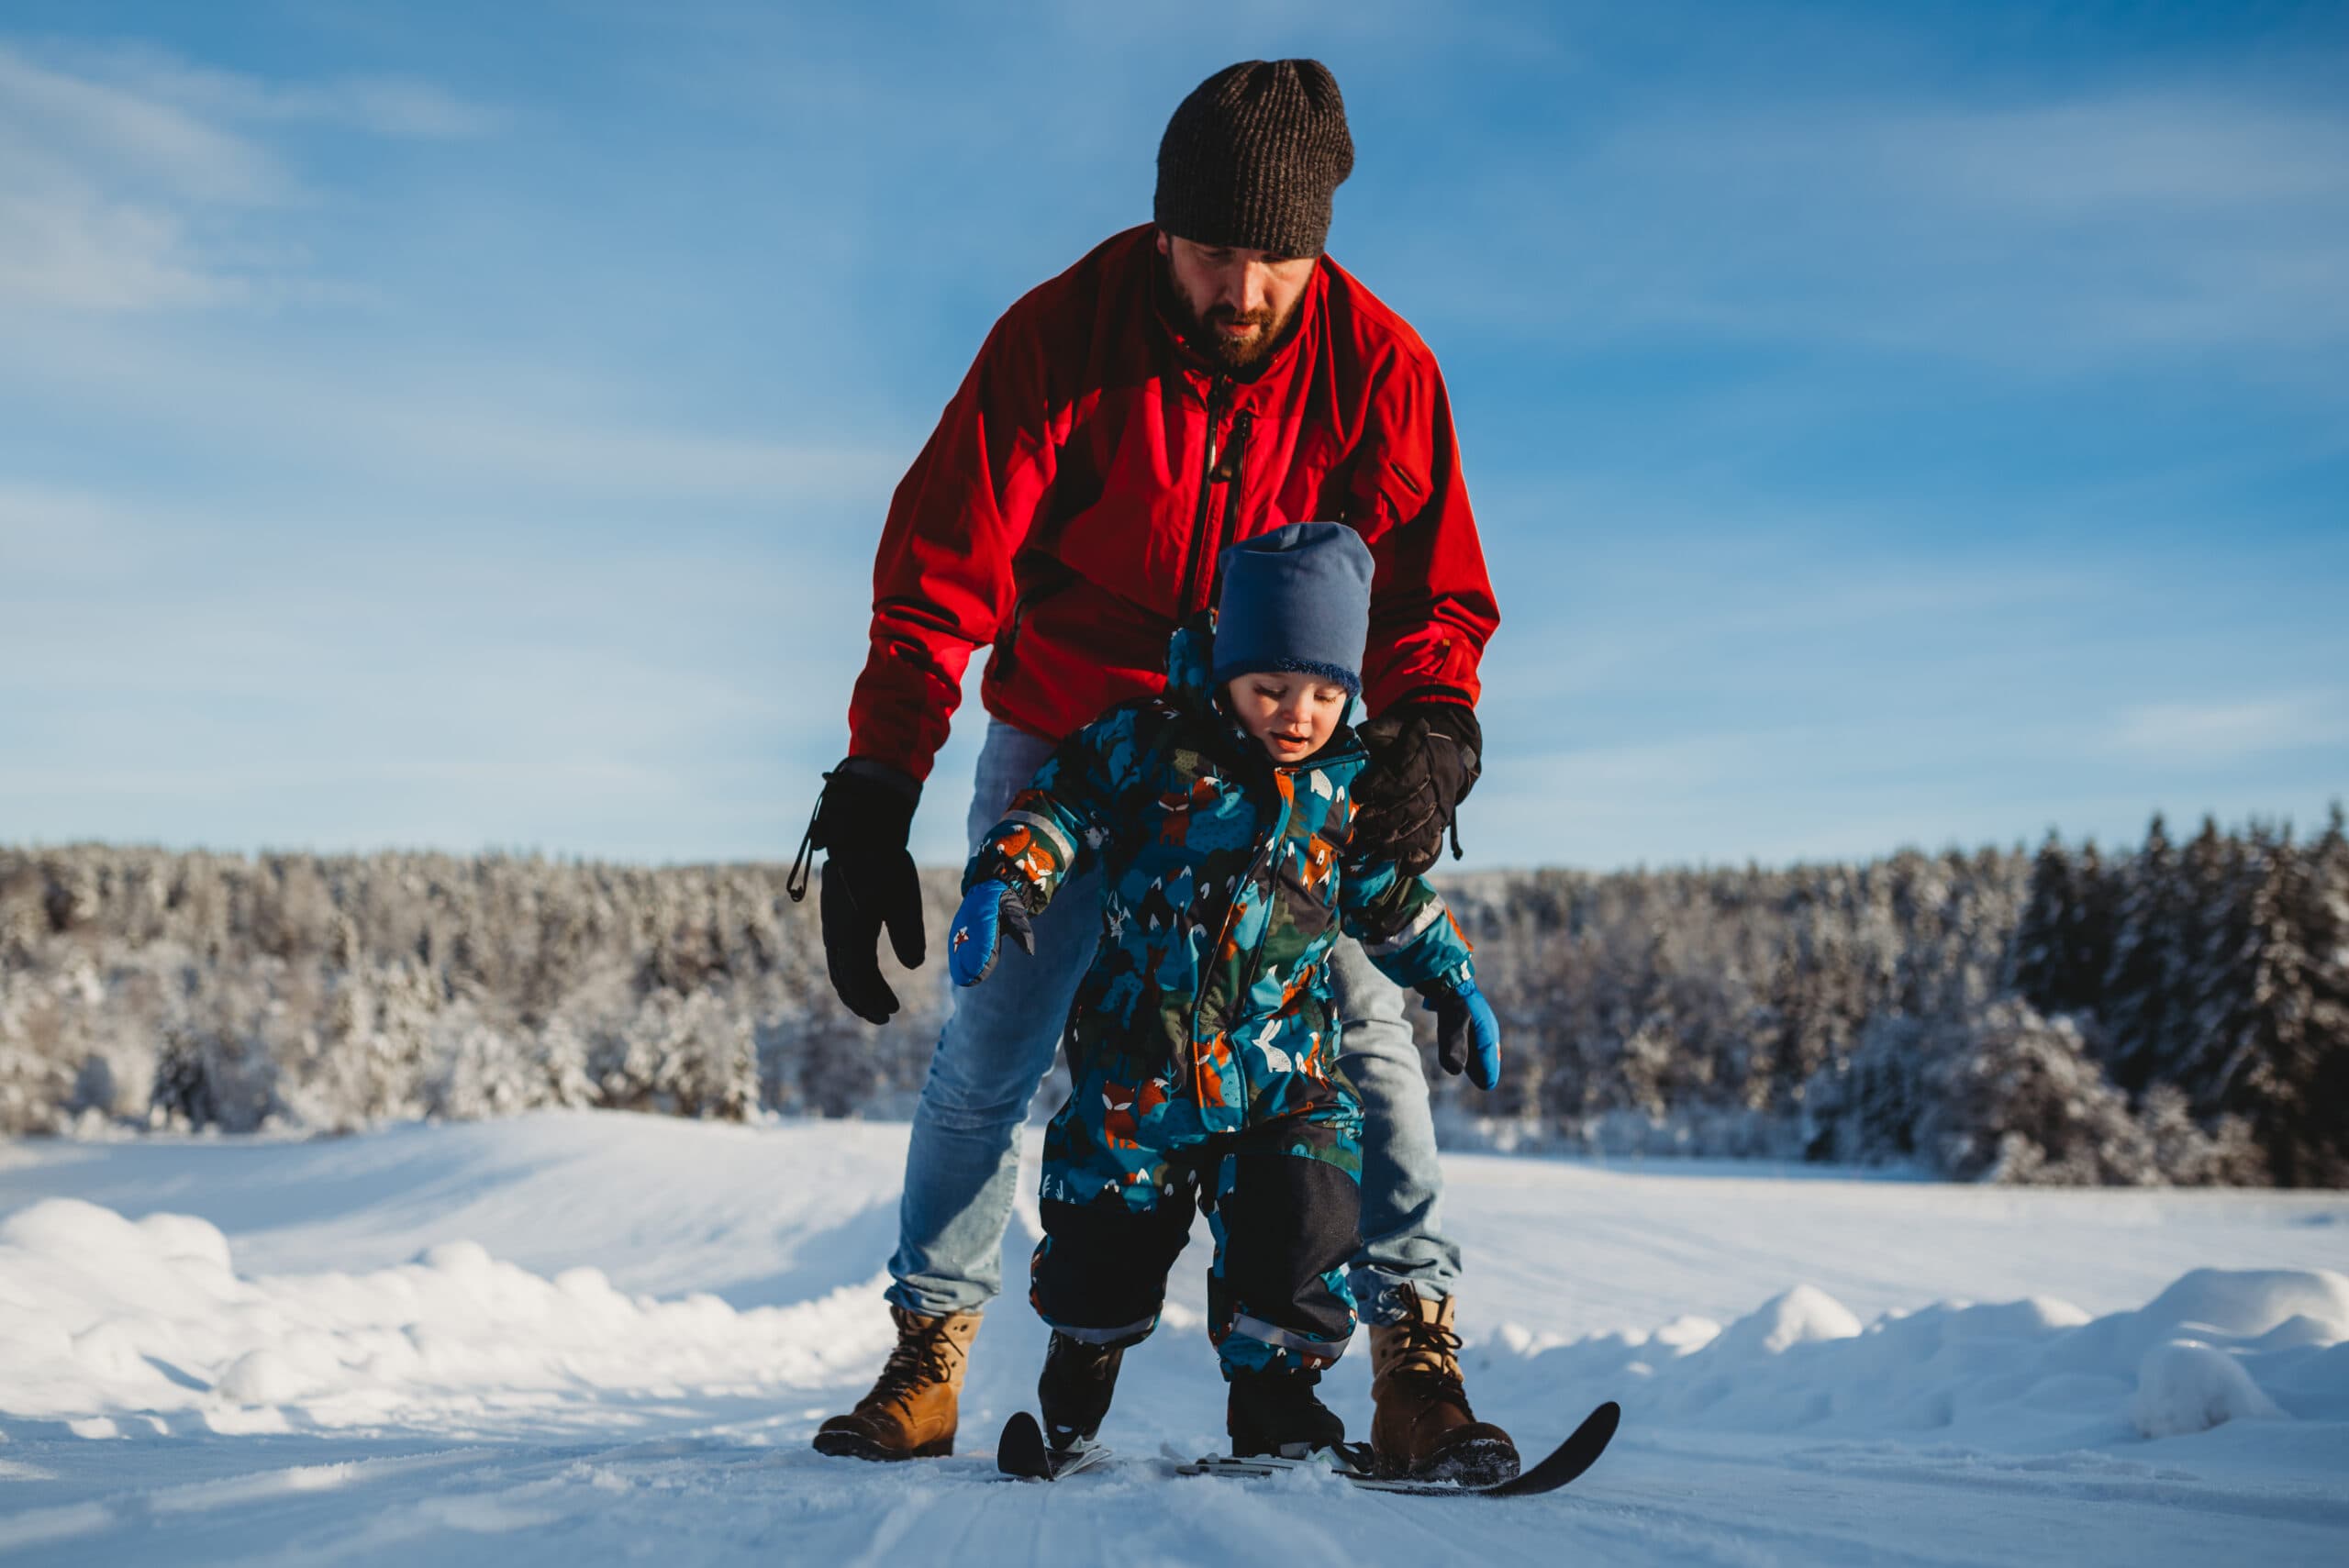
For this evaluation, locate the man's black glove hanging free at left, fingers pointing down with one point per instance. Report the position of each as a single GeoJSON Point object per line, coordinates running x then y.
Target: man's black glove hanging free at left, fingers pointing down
{"type": "Point", "coordinates": [861, 823]}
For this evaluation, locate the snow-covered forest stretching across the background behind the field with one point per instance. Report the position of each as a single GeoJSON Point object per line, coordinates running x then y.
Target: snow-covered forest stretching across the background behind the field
{"type": "Point", "coordinates": [2172, 1015]}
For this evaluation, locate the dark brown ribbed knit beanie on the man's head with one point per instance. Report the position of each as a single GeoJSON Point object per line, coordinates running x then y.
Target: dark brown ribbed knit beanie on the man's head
{"type": "Point", "coordinates": [1253, 158]}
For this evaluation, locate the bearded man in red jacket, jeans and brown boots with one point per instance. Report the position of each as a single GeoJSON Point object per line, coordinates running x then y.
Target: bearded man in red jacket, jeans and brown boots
{"type": "Point", "coordinates": [1185, 386]}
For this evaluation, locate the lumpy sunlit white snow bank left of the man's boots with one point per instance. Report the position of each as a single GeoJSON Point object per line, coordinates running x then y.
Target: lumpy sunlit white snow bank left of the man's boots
{"type": "Point", "coordinates": [147, 1325]}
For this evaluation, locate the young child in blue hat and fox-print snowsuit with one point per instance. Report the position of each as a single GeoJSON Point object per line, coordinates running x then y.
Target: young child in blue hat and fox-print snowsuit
{"type": "Point", "coordinates": [1204, 1041]}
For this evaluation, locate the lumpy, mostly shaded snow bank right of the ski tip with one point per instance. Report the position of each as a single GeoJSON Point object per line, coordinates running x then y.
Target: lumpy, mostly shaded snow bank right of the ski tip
{"type": "Point", "coordinates": [2219, 1346]}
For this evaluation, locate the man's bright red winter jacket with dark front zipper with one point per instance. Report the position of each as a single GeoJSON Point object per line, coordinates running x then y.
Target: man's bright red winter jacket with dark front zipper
{"type": "Point", "coordinates": [1075, 496]}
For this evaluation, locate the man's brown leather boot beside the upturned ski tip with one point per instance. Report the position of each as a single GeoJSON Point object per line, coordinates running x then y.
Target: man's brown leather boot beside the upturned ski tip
{"type": "Point", "coordinates": [1422, 1424]}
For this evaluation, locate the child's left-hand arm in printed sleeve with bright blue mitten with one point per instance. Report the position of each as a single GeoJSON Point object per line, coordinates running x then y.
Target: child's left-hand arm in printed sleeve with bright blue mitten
{"type": "Point", "coordinates": [1049, 837]}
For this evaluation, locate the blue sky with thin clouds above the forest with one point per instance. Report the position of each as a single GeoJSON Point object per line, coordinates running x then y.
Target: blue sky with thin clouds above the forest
{"type": "Point", "coordinates": [469, 426]}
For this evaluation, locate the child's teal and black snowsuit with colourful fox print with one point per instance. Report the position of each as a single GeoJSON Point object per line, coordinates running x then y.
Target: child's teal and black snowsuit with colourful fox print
{"type": "Point", "coordinates": [1204, 1039]}
